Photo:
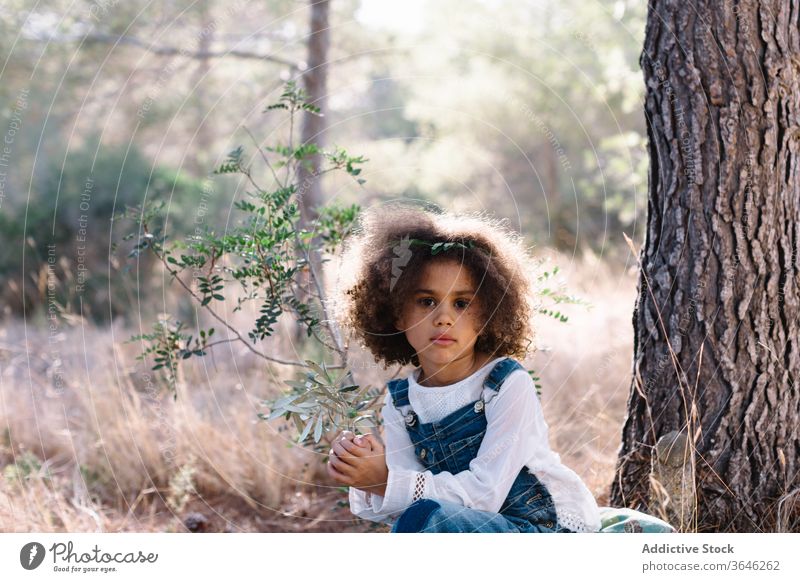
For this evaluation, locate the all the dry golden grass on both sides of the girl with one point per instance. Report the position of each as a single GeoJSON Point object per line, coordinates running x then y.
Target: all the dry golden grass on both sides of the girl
{"type": "Point", "coordinates": [91, 443]}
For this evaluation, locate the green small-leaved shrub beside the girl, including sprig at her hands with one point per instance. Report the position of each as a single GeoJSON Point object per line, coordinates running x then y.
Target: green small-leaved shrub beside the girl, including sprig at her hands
{"type": "Point", "coordinates": [268, 254]}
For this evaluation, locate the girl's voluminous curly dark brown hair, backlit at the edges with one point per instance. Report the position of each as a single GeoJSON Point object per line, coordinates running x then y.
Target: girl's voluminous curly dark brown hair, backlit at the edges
{"type": "Point", "coordinates": [383, 259]}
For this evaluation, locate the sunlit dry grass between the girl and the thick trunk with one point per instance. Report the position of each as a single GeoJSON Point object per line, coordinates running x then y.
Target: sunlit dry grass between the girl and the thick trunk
{"type": "Point", "coordinates": [585, 370]}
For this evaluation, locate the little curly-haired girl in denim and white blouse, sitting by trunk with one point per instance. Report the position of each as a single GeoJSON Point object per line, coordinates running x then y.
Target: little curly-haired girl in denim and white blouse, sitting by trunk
{"type": "Point", "coordinates": [466, 443]}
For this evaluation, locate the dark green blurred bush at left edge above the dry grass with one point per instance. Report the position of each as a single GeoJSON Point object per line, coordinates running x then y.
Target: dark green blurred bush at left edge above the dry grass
{"type": "Point", "coordinates": [60, 250]}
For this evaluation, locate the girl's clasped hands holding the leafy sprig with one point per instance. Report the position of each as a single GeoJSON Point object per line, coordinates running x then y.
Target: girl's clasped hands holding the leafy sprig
{"type": "Point", "coordinates": [359, 462]}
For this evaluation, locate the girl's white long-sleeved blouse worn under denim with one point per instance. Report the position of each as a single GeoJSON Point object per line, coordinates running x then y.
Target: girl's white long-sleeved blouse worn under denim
{"type": "Point", "coordinates": [515, 425]}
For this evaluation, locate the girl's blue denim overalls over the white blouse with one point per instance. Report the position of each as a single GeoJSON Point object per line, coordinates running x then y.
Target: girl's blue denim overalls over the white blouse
{"type": "Point", "coordinates": [450, 444]}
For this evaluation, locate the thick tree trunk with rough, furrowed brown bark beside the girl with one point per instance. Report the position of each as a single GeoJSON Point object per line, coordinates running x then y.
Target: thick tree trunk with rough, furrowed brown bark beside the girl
{"type": "Point", "coordinates": [717, 322]}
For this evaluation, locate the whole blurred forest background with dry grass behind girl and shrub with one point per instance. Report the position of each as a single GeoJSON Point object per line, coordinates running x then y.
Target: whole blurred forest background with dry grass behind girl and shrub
{"type": "Point", "coordinates": [532, 110]}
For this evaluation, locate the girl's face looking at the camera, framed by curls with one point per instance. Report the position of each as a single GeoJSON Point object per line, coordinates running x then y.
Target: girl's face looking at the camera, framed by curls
{"type": "Point", "coordinates": [445, 304]}
